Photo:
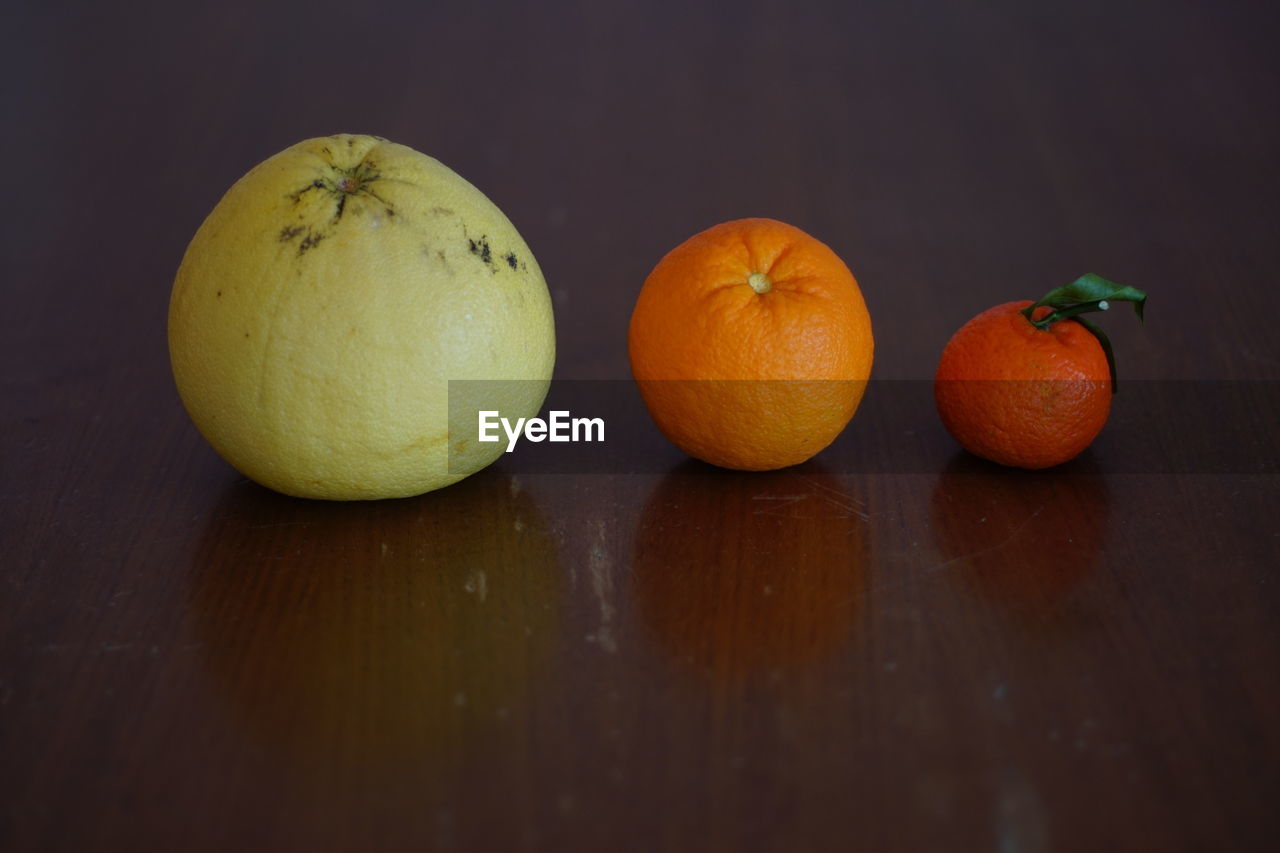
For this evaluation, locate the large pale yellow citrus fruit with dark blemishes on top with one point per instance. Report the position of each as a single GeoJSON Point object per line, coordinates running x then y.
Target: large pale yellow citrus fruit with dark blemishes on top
{"type": "Point", "coordinates": [328, 302]}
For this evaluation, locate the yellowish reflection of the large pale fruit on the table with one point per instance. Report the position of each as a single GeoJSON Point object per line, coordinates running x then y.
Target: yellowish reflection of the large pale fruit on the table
{"type": "Point", "coordinates": [399, 631]}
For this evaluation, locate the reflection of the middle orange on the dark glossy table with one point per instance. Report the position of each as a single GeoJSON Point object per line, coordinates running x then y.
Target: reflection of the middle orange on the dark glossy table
{"type": "Point", "coordinates": [739, 573]}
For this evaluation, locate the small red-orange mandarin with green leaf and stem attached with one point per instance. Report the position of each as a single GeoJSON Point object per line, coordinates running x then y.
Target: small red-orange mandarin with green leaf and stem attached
{"type": "Point", "coordinates": [1030, 385]}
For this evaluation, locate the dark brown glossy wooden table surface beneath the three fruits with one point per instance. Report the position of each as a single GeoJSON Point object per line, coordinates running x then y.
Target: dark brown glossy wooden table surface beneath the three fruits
{"type": "Point", "coordinates": [892, 647]}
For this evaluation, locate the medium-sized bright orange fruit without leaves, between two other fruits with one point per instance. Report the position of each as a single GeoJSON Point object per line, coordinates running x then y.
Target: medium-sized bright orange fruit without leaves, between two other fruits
{"type": "Point", "coordinates": [751, 345]}
